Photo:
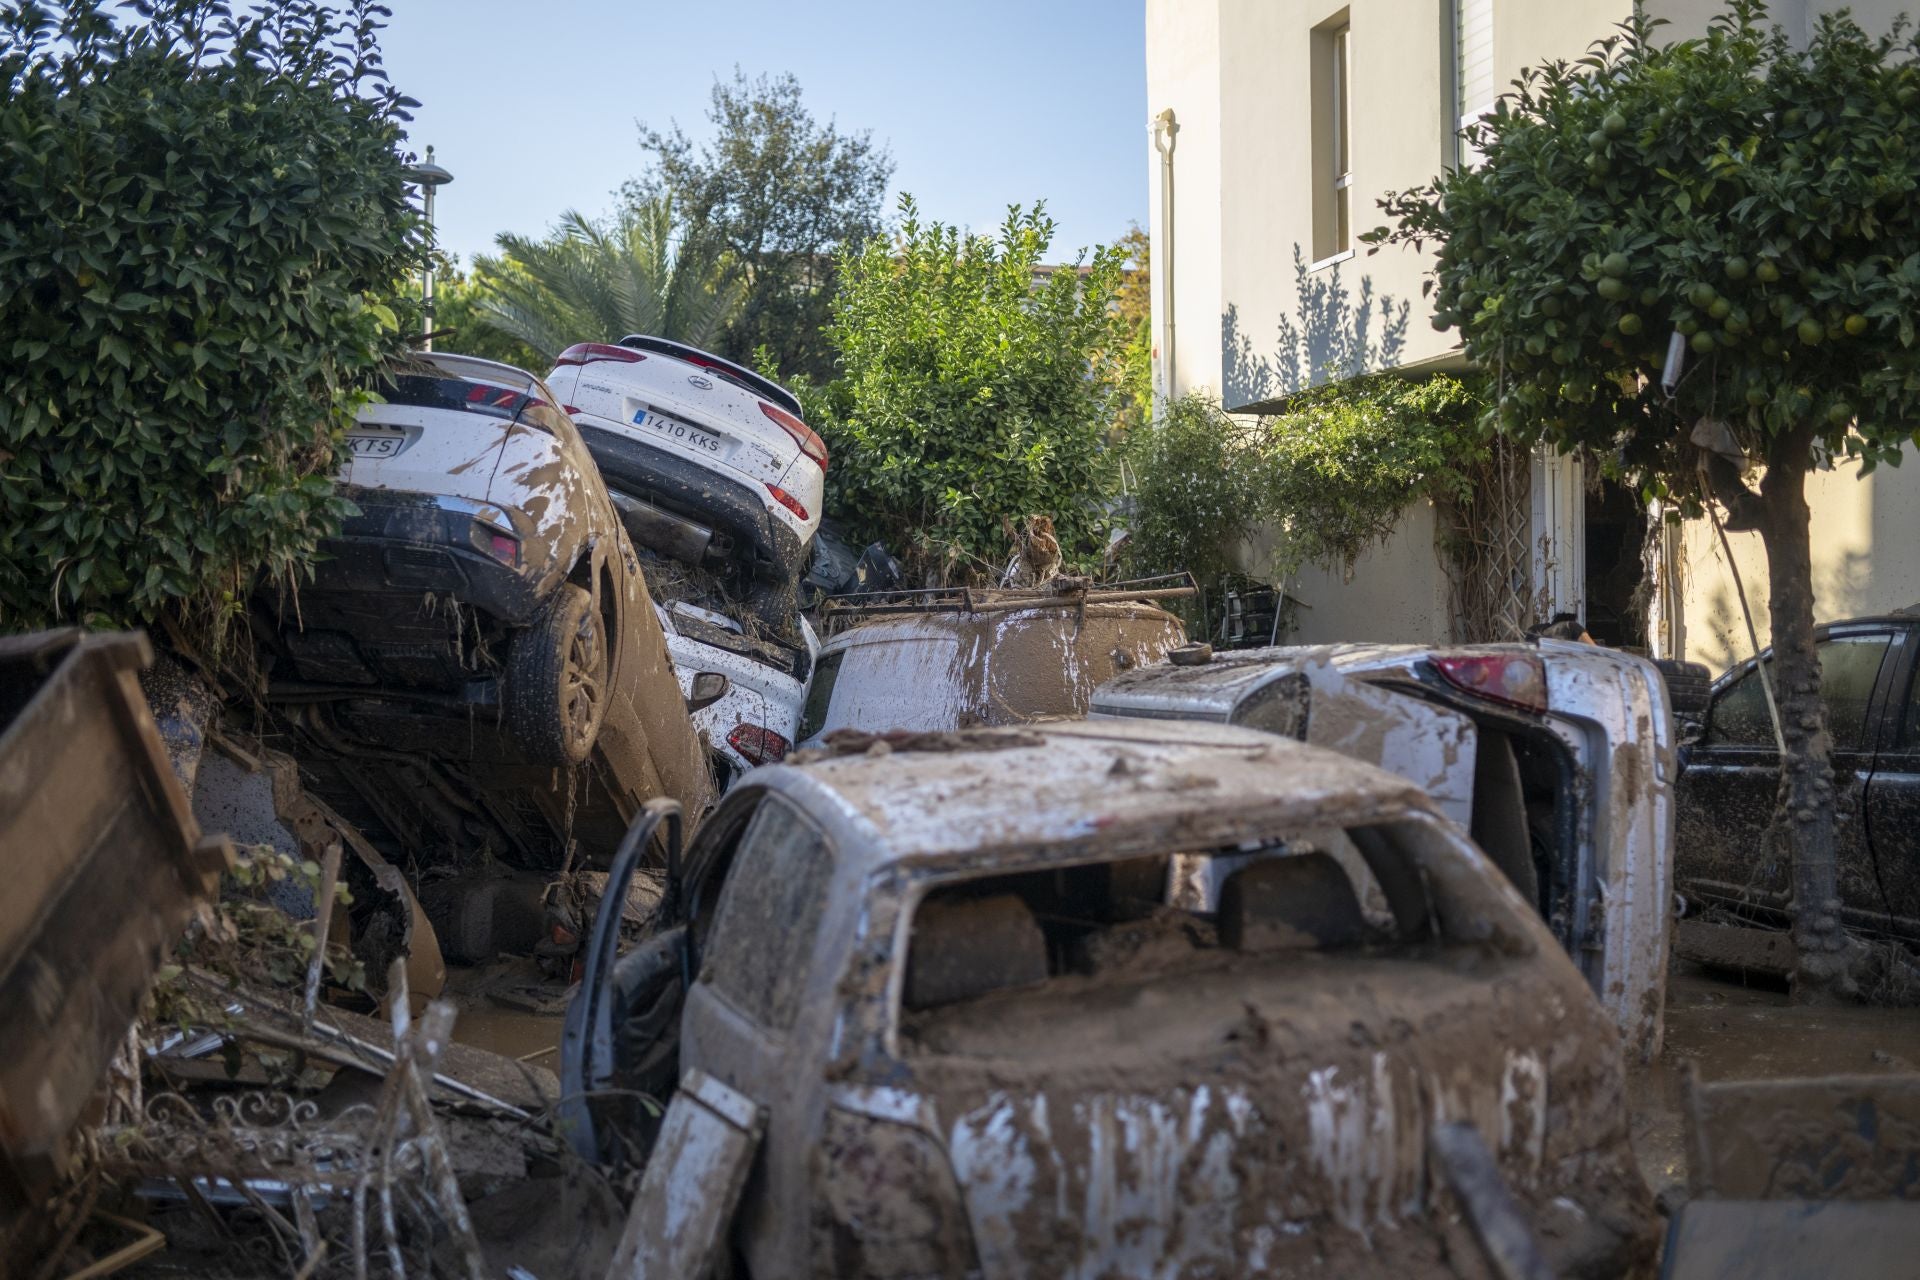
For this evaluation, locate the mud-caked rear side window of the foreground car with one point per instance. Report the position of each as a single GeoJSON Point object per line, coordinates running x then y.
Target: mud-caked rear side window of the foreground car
{"type": "Point", "coordinates": [769, 911]}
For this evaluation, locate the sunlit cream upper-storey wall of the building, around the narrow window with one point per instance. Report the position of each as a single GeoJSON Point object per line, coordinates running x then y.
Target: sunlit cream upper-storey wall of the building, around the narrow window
{"type": "Point", "coordinates": [1255, 316]}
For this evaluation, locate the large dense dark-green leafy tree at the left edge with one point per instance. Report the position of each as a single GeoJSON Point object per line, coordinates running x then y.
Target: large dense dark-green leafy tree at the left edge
{"type": "Point", "coordinates": [197, 214]}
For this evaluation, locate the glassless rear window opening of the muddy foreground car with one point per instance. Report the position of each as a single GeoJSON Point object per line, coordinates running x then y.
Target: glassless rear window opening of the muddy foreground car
{"type": "Point", "coordinates": [1197, 918]}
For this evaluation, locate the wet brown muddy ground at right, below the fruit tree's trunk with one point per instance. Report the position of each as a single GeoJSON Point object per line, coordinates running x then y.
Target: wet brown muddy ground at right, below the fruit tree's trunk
{"type": "Point", "coordinates": [1748, 1031]}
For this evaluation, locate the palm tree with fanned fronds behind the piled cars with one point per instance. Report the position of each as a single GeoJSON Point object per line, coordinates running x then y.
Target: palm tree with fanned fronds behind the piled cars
{"type": "Point", "coordinates": [602, 281]}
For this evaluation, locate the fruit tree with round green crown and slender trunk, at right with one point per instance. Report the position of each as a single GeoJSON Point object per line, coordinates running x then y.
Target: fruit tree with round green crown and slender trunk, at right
{"type": "Point", "coordinates": [1760, 201]}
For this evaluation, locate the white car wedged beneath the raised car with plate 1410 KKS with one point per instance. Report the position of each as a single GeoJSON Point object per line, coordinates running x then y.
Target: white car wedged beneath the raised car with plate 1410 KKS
{"type": "Point", "coordinates": [756, 717]}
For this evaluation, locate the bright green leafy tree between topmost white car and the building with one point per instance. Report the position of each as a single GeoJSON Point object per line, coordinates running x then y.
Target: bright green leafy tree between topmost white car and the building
{"type": "Point", "coordinates": [971, 392]}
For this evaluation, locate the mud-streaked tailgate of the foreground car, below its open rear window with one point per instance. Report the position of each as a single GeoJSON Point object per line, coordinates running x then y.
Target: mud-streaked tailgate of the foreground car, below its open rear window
{"type": "Point", "coordinates": [1239, 1114]}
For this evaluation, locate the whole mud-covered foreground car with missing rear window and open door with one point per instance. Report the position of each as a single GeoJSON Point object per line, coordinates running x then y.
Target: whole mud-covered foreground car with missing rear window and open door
{"type": "Point", "coordinates": [1099, 999]}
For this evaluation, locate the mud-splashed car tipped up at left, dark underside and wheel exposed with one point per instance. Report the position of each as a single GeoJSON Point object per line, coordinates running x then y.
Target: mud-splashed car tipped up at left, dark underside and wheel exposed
{"type": "Point", "coordinates": [479, 623]}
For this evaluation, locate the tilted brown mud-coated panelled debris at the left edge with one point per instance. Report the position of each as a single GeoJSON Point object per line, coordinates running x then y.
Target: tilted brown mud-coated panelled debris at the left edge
{"type": "Point", "coordinates": [95, 830]}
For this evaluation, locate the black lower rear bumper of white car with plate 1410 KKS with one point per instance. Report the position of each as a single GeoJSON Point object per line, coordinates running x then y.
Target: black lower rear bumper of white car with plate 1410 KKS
{"type": "Point", "coordinates": [700, 494]}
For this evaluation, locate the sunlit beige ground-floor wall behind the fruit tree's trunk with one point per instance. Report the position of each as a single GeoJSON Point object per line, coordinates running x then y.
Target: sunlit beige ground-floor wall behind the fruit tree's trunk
{"type": "Point", "coordinates": [1863, 540]}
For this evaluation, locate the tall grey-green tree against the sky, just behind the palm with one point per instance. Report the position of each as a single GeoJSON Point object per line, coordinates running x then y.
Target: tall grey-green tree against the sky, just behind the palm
{"type": "Point", "coordinates": [782, 195]}
